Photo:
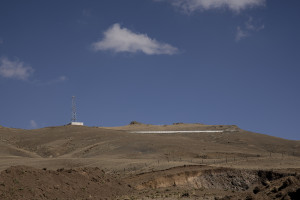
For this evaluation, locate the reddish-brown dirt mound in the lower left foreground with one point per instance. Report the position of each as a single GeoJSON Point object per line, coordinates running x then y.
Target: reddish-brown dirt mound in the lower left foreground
{"type": "Point", "coordinates": [86, 183]}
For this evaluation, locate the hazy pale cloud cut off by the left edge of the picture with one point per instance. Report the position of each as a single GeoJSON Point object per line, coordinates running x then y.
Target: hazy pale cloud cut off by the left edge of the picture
{"type": "Point", "coordinates": [14, 69]}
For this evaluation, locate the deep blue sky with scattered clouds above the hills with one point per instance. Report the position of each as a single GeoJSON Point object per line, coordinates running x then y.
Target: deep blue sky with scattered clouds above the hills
{"type": "Point", "coordinates": [154, 61]}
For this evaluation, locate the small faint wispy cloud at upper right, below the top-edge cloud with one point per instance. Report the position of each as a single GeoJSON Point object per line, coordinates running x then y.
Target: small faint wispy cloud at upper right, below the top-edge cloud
{"type": "Point", "coordinates": [248, 29]}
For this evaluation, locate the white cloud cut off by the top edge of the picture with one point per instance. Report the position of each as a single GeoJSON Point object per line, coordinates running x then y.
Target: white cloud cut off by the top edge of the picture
{"type": "Point", "coordinates": [234, 5]}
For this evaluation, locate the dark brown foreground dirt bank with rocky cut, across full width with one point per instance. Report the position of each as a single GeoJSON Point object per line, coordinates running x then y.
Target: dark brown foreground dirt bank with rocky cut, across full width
{"type": "Point", "coordinates": [188, 182]}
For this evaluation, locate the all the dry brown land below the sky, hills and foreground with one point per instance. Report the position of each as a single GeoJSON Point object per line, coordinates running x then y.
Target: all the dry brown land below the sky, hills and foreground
{"type": "Point", "coordinates": [78, 162]}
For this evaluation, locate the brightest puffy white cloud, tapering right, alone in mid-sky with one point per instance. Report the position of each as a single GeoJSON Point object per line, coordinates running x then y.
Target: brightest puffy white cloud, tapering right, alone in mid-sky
{"type": "Point", "coordinates": [118, 39]}
